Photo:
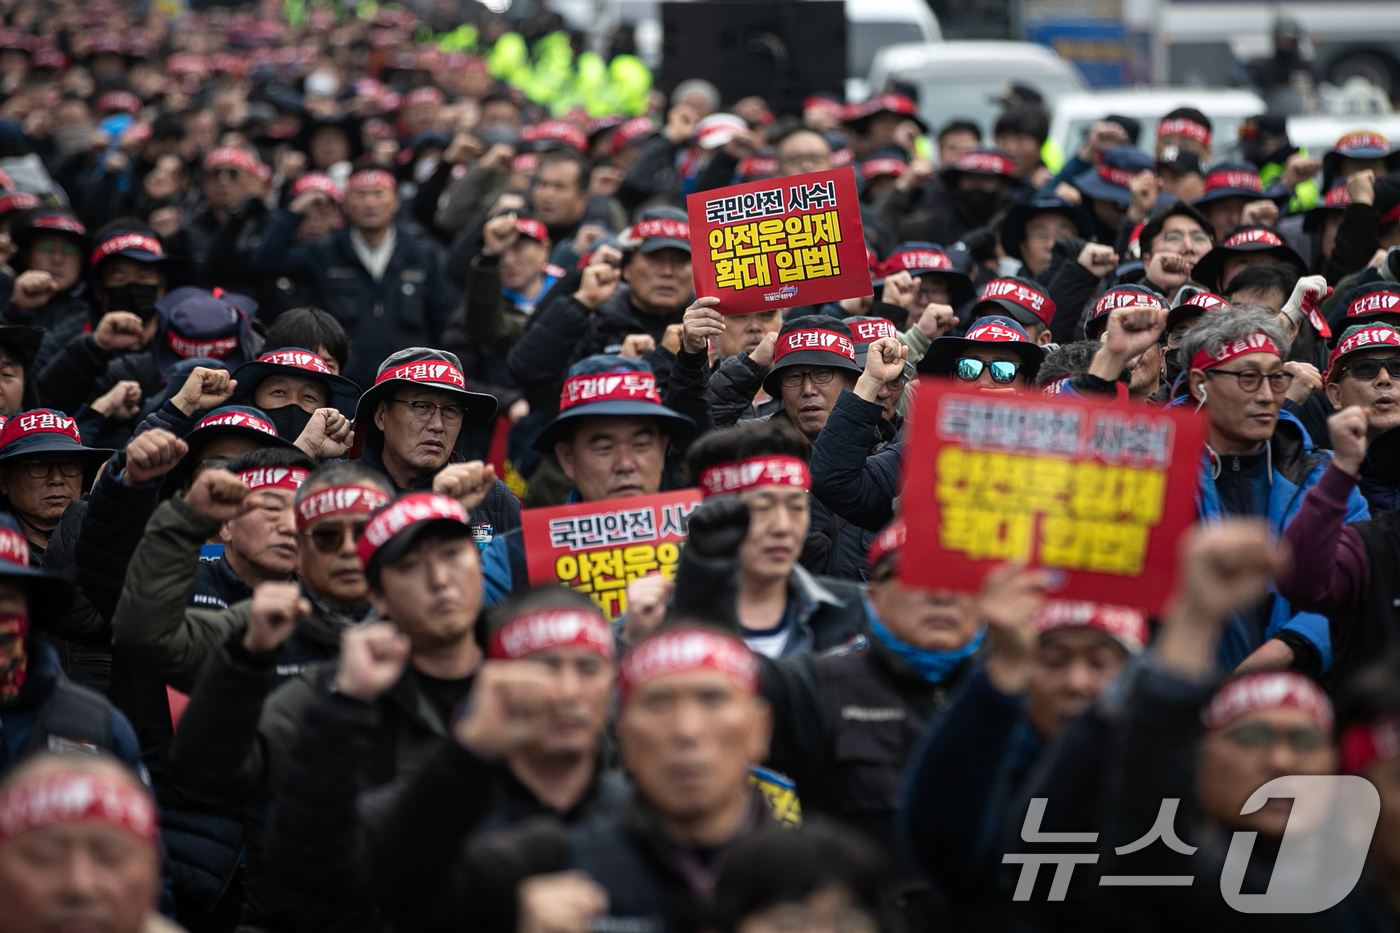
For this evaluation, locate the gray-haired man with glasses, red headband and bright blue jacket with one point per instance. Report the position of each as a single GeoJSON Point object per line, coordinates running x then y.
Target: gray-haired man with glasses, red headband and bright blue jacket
{"type": "Point", "coordinates": [1258, 462]}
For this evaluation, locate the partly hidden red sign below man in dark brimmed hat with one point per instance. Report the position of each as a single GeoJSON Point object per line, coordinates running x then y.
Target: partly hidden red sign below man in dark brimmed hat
{"type": "Point", "coordinates": [600, 547]}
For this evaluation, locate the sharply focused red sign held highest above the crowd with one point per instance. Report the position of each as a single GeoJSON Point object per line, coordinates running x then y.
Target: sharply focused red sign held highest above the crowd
{"type": "Point", "coordinates": [779, 243]}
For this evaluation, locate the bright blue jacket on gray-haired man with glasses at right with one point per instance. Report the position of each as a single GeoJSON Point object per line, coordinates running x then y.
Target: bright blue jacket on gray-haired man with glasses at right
{"type": "Point", "coordinates": [1297, 466]}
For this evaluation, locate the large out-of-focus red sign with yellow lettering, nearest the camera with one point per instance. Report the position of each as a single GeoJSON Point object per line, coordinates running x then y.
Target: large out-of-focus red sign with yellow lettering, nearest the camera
{"type": "Point", "coordinates": [1101, 491]}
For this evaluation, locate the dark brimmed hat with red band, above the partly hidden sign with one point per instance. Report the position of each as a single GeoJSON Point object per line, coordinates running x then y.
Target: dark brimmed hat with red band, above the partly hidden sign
{"type": "Point", "coordinates": [604, 385]}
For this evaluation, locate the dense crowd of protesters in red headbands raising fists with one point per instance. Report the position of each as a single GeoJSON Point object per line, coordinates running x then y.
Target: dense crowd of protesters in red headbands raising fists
{"type": "Point", "coordinates": [299, 310]}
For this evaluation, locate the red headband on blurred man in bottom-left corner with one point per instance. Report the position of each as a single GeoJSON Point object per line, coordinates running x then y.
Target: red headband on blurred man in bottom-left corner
{"type": "Point", "coordinates": [50, 801]}
